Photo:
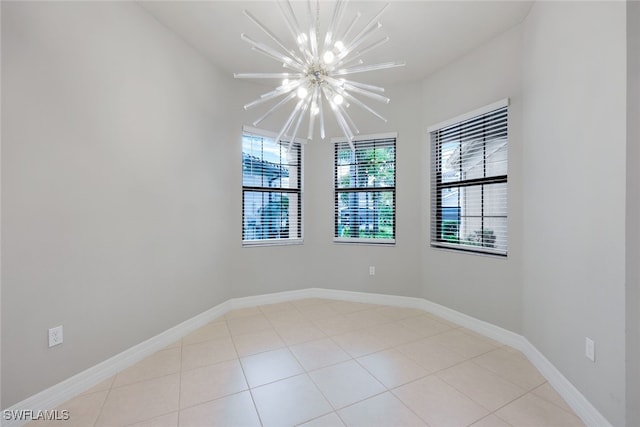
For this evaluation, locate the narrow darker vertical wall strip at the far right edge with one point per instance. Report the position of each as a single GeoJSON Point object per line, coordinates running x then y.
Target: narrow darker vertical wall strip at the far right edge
{"type": "Point", "coordinates": [633, 214]}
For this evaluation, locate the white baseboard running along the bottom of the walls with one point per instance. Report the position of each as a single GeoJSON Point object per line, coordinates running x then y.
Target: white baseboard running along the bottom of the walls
{"type": "Point", "coordinates": [73, 386]}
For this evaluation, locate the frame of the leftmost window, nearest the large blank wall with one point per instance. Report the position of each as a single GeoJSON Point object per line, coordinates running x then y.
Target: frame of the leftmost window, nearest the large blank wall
{"type": "Point", "coordinates": [300, 143]}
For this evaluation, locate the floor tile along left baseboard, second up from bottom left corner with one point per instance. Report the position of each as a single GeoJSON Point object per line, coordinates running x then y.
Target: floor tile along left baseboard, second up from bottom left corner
{"type": "Point", "coordinates": [159, 364]}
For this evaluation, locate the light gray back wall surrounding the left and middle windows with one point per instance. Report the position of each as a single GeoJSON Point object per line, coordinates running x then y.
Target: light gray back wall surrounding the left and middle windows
{"type": "Point", "coordinates": [320, 262]}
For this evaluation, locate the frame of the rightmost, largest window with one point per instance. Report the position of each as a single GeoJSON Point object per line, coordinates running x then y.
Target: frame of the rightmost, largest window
{"type": "Point", "coordinates": [438, 184]}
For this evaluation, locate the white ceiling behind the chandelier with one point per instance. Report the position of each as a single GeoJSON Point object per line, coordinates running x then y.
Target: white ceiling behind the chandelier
{"type": "Point", "coordinates": [425, 34]}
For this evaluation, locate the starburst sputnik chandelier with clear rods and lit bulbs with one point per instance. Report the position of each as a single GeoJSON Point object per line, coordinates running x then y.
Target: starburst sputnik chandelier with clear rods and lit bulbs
{"type": "Point", "coordinates": [316, 69]}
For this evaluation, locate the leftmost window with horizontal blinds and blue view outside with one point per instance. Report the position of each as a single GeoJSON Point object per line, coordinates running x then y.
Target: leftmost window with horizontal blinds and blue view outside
{"type": "Point", "coordinates": [271, 190]}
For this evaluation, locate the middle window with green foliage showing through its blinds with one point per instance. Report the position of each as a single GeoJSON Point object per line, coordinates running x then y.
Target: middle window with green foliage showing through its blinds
{"type": "Point", "coordinates": [365, 190]}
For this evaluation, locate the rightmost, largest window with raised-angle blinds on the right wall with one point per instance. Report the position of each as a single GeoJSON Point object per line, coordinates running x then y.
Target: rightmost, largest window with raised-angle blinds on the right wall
{"type": "Point", "coordinates": [469, 182]}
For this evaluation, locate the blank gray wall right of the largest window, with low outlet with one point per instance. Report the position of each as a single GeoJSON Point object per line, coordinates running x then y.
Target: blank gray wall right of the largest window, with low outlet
{"type": "Point", "coordinates": [574, 93]}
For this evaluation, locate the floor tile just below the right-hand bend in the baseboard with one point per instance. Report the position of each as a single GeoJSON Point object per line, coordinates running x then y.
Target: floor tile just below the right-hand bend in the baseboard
{"type": "Point", "coordinates": [512, 366]}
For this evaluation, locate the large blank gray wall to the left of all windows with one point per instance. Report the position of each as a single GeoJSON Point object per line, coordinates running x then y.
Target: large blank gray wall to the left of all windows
{"type": "Point", "coordinates": [115, 155]}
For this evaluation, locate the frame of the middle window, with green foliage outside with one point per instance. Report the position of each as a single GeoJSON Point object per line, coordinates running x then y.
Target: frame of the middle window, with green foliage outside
{"type": "Point", "coordinates": [364, 139]}
